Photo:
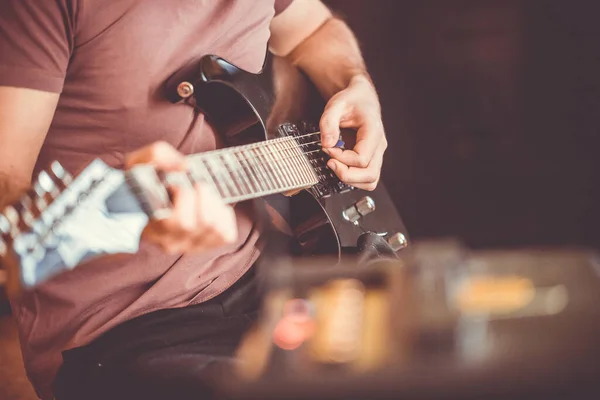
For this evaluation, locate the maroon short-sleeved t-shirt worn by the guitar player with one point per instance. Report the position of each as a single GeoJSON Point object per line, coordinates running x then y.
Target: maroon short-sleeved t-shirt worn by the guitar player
{"type": "Point", "coordinates": [108, 59]}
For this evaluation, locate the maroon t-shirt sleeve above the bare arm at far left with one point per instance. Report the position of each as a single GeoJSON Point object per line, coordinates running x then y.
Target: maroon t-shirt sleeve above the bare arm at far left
{"type": "Point", "coordinates": [36, 42]}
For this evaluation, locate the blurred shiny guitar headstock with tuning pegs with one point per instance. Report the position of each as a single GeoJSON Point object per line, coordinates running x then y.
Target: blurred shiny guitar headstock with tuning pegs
{"type": "Point", "coordinates": [62, 221]}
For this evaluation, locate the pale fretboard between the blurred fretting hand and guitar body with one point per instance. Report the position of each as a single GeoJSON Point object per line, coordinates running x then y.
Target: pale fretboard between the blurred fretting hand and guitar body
{"type": "Point", "coordinates": [255, 170]}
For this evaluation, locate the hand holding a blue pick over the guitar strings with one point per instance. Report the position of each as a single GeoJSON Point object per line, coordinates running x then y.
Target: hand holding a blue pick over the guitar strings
{"type": "Point", "coordinates": [356, 107]}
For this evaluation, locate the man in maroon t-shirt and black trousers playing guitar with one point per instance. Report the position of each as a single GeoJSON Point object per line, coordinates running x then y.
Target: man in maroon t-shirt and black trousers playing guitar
{"type": "Point", "coordinates": [81, 80]}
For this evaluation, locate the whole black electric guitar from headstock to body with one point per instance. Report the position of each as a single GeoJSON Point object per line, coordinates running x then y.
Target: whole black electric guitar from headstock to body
{"type": "Point", "coordinates": [268, 121]}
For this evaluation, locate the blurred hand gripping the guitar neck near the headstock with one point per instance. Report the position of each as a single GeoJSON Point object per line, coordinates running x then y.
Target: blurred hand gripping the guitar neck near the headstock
{"type": "Point", "coordinates": [200, 219]}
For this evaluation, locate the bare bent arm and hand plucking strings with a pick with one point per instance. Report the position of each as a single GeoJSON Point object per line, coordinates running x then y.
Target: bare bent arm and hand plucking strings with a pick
{"type": "Point", "coordinates": [325, 48]}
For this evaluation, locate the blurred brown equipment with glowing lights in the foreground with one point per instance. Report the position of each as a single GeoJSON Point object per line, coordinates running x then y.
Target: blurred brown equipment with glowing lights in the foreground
{"type": "Point", "coordinates": [442, 322]}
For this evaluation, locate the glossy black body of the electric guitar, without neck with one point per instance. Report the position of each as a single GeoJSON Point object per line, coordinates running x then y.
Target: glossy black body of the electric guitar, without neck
{"type": "Point", "coordinates": [246, 107]}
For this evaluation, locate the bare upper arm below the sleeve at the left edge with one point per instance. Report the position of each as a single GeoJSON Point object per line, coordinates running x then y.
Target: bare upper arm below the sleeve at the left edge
{"type": "Point", "coordinates": [25, 116]}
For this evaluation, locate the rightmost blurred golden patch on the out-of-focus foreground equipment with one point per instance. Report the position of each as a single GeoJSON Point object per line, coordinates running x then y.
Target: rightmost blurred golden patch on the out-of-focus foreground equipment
{"type": "Point", "coordinates": [485, 295]}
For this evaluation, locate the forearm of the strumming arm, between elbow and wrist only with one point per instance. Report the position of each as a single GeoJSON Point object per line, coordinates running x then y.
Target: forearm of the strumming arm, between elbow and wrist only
{"type": "Point", "coordinates": [331, 57]}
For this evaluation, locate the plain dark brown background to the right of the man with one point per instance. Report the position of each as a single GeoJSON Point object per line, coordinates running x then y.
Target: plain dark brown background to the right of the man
{"type": "Point", "coordinates": [492, 109]}
